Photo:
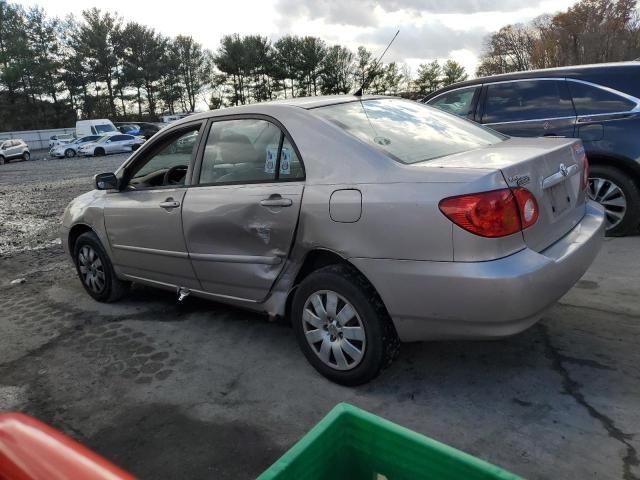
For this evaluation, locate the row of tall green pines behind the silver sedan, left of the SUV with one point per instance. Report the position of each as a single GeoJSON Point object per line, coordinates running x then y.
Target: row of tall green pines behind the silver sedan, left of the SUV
{"type": "Point", "coordinates": [53, 71]}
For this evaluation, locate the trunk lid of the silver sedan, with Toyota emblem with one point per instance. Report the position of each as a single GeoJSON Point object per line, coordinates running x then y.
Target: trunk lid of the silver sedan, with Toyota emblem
{"type": "Point", "coordinates": [550, 168]}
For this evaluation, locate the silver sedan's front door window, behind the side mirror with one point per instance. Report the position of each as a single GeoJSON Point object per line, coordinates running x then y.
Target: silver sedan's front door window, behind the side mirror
{"type": "Point", "coordinates": [167, 163]}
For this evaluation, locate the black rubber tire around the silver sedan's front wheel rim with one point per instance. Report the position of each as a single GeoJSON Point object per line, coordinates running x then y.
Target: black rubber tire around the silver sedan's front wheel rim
{"type": "Point", "coordinates": [113, 288]}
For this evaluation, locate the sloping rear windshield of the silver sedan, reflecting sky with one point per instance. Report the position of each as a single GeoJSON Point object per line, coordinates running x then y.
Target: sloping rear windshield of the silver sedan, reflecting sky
{"type": "Point", "coordinates": [407, 131]}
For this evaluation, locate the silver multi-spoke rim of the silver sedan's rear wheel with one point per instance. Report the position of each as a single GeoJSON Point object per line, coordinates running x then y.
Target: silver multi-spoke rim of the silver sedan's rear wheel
{"type": "Point", "coordinates": [334, 330]}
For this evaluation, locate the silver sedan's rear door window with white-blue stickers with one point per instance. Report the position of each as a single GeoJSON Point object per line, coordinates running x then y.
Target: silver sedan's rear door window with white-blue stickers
{"type": "Point", "coordinates": [248, 151]}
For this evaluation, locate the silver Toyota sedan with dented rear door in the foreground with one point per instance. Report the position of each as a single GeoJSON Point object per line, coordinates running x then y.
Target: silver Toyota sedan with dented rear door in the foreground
{"type": "Point", "coordinates": [364, 221]}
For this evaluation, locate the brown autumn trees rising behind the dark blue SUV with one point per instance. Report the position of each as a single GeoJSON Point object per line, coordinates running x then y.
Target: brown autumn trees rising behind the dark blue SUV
{"type": "Point", "coordinates": [591, 31]}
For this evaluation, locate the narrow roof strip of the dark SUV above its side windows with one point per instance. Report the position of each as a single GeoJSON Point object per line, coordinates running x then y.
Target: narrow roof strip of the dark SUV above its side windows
{"type": "Point", "coordinates": [573, 71]}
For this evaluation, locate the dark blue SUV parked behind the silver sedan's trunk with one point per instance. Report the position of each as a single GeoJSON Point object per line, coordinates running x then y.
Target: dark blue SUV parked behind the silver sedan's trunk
{"type": "Point", "coordinates": [600, 104]}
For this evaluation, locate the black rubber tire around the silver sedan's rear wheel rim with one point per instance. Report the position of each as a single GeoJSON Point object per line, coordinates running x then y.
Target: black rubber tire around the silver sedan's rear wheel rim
{"type": "Point", "coordinates": [382, 343]}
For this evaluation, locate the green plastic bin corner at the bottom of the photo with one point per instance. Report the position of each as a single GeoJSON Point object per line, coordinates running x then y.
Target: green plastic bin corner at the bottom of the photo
{"type": "Point", "coordinates": [351, 444]}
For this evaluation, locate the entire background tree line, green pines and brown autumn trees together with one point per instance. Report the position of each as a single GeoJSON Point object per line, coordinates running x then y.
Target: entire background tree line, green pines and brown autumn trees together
{"type": "Point", "coordinates": [54, 71]}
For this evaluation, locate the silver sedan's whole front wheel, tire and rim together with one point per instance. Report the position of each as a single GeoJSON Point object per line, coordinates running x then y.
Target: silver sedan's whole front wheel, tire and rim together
{"type": "Point", "coordinates": [96, 271]}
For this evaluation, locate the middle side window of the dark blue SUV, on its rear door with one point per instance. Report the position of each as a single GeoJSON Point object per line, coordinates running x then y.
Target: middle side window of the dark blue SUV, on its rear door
{"type": "Point", "coordinates": [527, 100]}
